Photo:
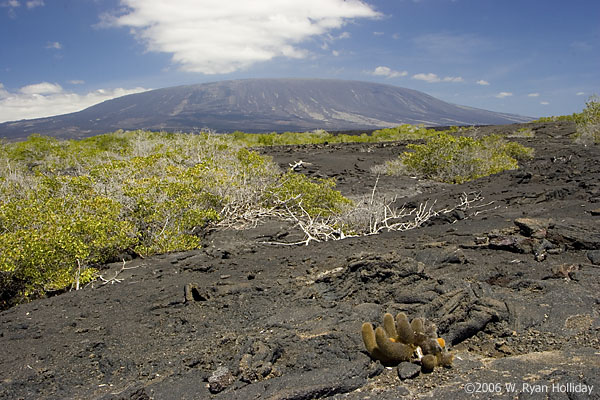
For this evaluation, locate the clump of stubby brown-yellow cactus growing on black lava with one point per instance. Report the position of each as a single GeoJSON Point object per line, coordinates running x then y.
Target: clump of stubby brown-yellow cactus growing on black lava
{"type": "Point", "coordinates": [398, 340]}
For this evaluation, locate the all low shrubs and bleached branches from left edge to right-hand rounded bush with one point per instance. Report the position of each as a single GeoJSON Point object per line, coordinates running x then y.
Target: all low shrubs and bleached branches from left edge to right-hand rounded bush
{"type": "Point", "coordinates": [68, 207]}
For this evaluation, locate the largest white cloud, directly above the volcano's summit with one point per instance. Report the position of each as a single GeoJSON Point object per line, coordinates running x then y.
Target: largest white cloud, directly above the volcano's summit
{"type": "Point", "coordinates": [215, 36]}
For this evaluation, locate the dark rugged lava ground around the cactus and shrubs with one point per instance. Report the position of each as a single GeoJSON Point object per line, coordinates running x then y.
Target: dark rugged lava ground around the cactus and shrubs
{"type": "Point", "coordinates": [513, 283]}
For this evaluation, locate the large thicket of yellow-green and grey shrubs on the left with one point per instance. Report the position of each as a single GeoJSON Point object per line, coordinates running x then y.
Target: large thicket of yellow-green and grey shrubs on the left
{"type": "Point", "coordinates": [66, 206]}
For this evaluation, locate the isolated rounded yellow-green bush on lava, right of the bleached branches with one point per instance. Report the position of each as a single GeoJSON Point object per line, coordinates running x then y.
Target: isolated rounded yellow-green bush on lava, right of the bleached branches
{"type": "Point", "coordinates": [459, 159]}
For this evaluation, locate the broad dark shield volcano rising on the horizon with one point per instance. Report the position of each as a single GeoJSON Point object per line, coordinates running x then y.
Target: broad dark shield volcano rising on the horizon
{"type": "Point", "coordinates": [261, 105]}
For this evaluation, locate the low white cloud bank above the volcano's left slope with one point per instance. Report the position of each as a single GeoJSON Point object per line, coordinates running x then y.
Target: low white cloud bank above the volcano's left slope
{"type": "Point", "coordinates": [46, 99]}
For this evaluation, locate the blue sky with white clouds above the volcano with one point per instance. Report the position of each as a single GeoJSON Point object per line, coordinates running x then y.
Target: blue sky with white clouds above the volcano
{"type": "Point", "coordinates": [535, 58]}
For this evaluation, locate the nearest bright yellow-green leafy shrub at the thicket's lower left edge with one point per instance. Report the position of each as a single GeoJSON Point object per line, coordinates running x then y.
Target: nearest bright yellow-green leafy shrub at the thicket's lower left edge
{"type": "Point", "coordinates": [48, 232]}
